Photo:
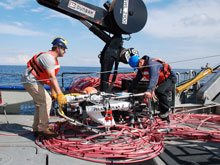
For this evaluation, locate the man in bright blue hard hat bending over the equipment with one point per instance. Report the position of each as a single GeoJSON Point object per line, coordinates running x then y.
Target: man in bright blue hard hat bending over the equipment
{"type": "Point", "coordinates": [161, 80]}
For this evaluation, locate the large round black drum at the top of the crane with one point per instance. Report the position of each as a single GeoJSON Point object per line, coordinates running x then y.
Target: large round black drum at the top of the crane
{"type": "Point", "coordinates": [130, 16]}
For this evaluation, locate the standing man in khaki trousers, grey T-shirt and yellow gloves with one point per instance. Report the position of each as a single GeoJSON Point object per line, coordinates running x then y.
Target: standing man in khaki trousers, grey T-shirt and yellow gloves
{"type": "Point", "coordinates": [42, 69]}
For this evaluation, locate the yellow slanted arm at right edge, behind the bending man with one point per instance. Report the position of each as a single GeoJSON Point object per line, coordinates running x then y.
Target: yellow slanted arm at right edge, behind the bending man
{"type": "Point", "coordinates": [200, 76]}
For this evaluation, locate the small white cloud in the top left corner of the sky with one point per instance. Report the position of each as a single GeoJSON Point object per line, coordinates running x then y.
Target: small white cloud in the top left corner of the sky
{"type": "Point", "coordinates": [11, 4]}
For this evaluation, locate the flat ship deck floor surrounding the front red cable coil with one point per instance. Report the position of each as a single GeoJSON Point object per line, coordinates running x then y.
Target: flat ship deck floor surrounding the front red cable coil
{"type": "Point", "coordinates": [18, 147]}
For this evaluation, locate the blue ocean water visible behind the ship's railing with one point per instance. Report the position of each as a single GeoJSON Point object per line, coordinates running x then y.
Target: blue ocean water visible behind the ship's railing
{"type": "Point", "coordinates": [10, 75]}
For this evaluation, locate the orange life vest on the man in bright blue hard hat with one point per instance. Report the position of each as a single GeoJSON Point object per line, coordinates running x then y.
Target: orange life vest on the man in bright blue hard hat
{"type": "Point", "coordinates": [163, 73]}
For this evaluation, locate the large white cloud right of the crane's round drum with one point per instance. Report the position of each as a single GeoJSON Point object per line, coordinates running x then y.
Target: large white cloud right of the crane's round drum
{"type": "Point", "coordinates": [186, 19]}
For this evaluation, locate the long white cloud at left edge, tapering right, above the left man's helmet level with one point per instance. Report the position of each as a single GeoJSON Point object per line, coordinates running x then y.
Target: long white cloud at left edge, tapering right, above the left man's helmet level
{"type": "Point", "coordinates": [18, 29]}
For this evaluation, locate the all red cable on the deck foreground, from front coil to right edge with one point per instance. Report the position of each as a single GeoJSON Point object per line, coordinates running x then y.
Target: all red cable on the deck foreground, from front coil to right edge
{"type": "Point", "coordinates": [129, 144]}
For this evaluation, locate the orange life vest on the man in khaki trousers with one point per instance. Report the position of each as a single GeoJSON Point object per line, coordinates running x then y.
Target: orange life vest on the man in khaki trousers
{"type": "Point", "coordinates": [38, 71]}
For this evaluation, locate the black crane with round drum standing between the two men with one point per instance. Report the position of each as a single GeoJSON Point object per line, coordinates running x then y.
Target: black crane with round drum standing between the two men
{"type": "Point", "coordinates": [109, 24]}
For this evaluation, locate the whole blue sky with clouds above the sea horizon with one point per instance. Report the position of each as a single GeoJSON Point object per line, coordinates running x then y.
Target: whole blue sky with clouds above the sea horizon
{"type": "Point", "coordinates": [176, 30]}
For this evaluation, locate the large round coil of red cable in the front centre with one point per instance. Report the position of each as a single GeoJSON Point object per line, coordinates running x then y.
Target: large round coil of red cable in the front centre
{"type": "Point", "coordinates": [129, 145]}
